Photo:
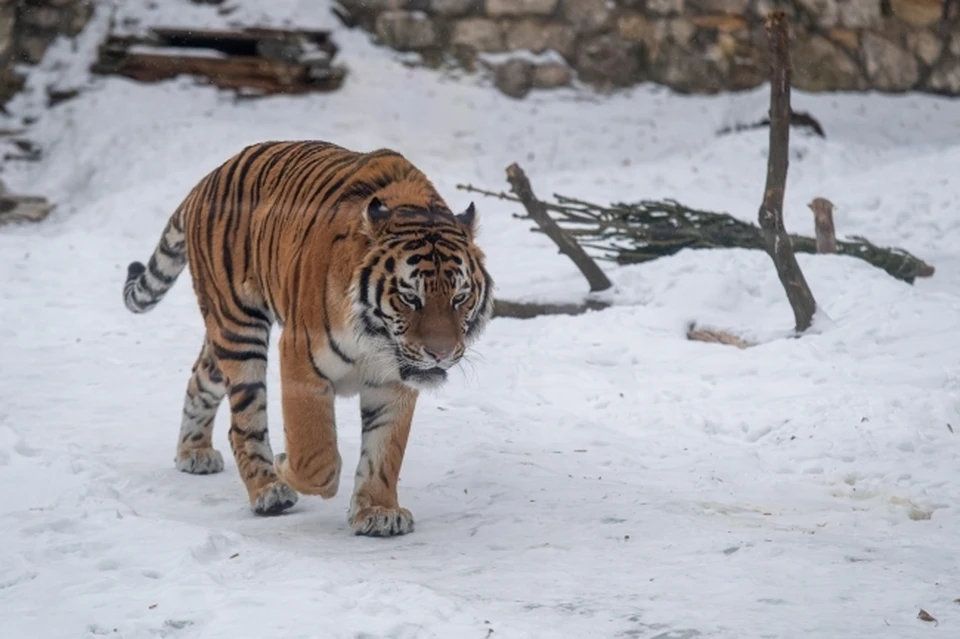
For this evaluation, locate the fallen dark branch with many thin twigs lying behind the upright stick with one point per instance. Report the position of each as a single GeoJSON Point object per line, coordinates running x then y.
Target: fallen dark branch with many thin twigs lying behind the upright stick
{"type": "Point", "coordinates": [650, 229]}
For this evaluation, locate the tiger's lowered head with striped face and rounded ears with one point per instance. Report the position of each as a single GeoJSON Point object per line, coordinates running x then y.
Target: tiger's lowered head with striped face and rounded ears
{"type": "Point", "coordinates": [422, 291]}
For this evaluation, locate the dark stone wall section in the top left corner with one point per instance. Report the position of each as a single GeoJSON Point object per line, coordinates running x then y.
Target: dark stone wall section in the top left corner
{"type": "Point", "coordinates": [27, 27]}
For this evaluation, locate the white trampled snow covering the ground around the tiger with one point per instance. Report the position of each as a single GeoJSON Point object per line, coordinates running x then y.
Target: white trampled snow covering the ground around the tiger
{"type": "Point", "coordinates": [592, 476]}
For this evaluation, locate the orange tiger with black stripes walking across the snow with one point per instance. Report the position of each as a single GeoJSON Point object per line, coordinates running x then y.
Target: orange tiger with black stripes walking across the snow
{"type": "Point", "coordinates": [378, 289]}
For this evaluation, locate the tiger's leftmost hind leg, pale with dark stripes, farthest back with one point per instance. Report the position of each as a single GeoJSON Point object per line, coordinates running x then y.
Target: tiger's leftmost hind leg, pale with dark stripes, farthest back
{"type": "Point", "coordinates": [205, 391]}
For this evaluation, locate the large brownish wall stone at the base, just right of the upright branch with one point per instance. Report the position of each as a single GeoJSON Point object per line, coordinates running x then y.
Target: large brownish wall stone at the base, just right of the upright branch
{"type": "Point", "coordinates": [821, 65]}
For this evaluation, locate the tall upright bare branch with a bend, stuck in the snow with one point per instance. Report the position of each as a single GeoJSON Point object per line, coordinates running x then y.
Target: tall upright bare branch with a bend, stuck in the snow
{"type": "Point", "coordinates": [776, 240]}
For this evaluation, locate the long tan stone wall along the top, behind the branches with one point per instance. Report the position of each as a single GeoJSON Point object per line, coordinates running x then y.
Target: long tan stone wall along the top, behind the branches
{"type": "Point", "coordinates": [700, 46]}
